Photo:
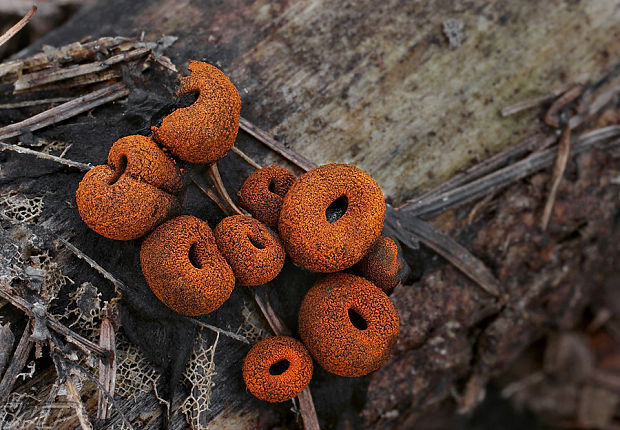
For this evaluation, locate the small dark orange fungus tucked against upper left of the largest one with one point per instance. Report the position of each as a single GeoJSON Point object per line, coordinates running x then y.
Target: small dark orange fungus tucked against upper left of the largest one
{"type": "Point", "coordinates": [263, 191]}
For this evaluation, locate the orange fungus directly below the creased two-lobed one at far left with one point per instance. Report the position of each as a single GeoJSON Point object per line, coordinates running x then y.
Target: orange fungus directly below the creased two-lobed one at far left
{"type": "Point", "coordinates": [184, 268]}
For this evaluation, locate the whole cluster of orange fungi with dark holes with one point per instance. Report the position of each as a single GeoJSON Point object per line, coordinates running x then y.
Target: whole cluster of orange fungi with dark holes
{"type": "Point", "coordinates": [328, 220]}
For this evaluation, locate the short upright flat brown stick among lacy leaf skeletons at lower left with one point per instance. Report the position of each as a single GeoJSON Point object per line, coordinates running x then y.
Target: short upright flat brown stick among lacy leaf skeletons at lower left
{"type": "Point", "coordinates": [107, 369]}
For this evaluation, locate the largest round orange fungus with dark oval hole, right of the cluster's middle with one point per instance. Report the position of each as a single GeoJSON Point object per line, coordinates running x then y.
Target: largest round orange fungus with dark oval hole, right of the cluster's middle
{"type": "Point", "coordinates": [330, 217]}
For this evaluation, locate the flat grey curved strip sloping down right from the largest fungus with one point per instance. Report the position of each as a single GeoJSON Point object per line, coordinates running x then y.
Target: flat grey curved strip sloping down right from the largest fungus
{"type": "Point", "coordinates": [445, 246]}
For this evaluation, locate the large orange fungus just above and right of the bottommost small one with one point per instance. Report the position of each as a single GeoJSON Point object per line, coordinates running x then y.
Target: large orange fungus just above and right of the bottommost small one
{"type": "Point", "coordinates": [348, 325]}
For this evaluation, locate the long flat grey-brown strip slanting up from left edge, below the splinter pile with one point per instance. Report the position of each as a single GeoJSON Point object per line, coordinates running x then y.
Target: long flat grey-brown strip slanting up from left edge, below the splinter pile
{"type": "Point", "coordinates": [66, 110]}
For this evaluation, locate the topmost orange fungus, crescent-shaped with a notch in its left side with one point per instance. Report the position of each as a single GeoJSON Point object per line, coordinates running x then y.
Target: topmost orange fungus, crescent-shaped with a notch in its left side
{"type": "Point", "coordinates": [206, 130]}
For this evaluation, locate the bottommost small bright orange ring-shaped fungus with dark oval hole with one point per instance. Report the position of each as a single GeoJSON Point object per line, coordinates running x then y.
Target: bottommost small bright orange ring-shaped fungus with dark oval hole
{"type": "Point", "coordinates": [277, 369]}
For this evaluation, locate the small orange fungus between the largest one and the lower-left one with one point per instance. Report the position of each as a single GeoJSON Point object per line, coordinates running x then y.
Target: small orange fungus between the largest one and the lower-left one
{"type": "Point", "coordinates": [253, 251]}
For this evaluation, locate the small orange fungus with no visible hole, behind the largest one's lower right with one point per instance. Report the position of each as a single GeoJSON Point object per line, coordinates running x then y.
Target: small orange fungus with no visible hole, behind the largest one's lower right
{"type": "Point", "coordinates": [382, 264]}
